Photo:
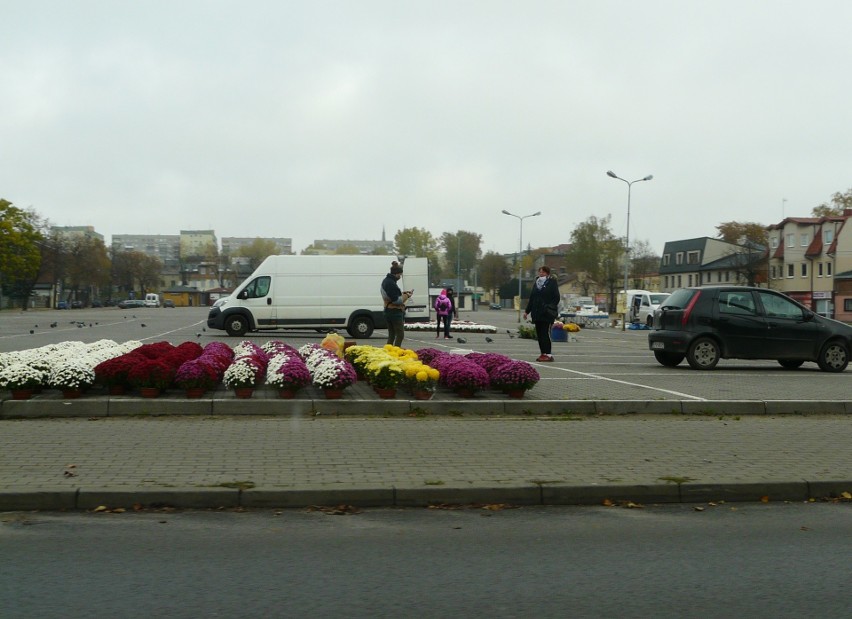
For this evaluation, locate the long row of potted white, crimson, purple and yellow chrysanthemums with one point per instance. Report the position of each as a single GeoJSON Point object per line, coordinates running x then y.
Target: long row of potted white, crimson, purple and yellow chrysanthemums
{"type": "Point", "coordinates": [152, 368]}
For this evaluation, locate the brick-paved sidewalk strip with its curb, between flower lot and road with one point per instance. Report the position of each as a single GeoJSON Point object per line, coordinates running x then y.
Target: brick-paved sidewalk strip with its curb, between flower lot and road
{"type": "Point", "coordinates": [301, 459]}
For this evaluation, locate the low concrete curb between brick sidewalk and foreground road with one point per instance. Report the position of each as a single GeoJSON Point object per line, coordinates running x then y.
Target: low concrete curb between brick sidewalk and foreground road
{"type": "Point", "coordinates": [533, 494]}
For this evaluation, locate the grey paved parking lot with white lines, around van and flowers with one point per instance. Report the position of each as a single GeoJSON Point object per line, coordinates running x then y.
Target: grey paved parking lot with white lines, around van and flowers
{"type": "Point", "coordinates": [602, 364]}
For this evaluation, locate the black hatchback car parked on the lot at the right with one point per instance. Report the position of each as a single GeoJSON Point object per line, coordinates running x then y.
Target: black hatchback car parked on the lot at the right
{"type": "Point", "coordinates": [710, 323]}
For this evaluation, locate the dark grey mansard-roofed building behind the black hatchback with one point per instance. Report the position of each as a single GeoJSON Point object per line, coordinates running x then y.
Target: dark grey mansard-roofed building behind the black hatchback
{"type": "Point", "coordinates": [703, 261]}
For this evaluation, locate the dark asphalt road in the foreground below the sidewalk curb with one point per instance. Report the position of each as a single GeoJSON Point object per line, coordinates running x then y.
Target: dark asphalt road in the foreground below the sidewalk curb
{"type": "Point", "coordinates": [776, 560]}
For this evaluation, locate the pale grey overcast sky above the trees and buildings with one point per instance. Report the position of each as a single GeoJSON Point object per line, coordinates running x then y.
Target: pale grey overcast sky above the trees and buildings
{"type": "Point", "coordinates": [336, 119]}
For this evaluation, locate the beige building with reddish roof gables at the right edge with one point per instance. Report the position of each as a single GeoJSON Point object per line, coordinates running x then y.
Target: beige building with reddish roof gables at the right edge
{"type": "Point", "coordinates": [806, 256]}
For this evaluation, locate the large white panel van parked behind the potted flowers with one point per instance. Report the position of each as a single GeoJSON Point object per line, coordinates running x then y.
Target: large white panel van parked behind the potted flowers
{"type": "Point", "coordinates": [320, 292]}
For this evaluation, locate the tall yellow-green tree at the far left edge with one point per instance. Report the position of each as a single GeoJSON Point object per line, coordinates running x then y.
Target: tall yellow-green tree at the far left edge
{"type": "Point", "coordinates": [20, 256]}
